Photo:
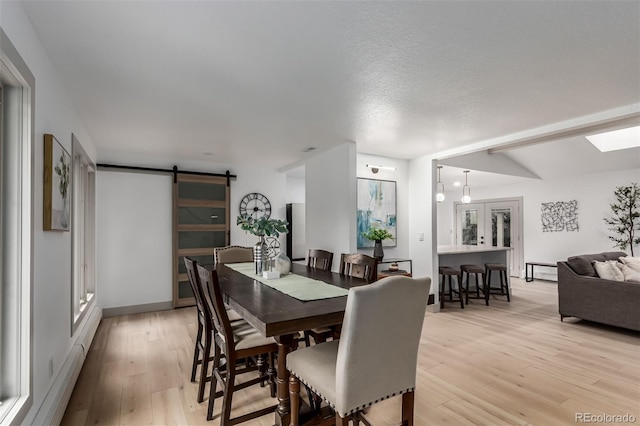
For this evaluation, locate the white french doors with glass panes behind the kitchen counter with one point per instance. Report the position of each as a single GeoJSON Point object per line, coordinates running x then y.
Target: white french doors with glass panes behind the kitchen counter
{"type": "Point", "coordinates": [492, 224]}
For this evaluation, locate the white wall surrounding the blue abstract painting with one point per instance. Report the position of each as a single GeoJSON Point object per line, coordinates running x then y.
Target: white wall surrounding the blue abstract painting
{"type": "Point", "coordinates": [401, 177]}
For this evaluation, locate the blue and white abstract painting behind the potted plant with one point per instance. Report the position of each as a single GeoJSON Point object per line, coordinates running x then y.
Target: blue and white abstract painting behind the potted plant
{"type": "Point", "coordinates": [376, 207]}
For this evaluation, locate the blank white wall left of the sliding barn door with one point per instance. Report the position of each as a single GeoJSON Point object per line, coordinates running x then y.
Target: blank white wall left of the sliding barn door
{"type": "Point", "coordinates": [134, 238]}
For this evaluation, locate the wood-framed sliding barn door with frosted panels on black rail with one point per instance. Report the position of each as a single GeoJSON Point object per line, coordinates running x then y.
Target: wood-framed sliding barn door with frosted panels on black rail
{"type": "Point", "coordinates": [200, 223]}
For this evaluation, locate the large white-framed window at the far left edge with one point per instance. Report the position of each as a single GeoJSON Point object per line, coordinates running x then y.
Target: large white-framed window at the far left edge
{"type": "Point", "coordinates": [16, 160]}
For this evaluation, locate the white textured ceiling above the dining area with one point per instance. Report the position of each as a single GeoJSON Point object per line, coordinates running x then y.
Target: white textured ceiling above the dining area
{"type": "Point", "coordinates": [254, 82]}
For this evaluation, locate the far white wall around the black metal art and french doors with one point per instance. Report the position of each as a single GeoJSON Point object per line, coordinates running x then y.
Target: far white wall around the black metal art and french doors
{"type": "Point", "coordinates": [594, 194]}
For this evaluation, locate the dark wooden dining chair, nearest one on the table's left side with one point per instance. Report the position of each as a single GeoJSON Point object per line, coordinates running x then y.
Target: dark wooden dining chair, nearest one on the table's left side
{"type": "Point", "coordinates": [237, 344]}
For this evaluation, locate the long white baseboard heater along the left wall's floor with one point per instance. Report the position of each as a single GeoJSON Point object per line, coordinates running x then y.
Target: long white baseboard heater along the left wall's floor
{"type": "Point", "coordinates": [55, 403]}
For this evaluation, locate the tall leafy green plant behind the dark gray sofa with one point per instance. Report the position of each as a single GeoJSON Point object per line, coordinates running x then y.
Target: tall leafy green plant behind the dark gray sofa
{"type": "Point", "coordinates": [625, 222]}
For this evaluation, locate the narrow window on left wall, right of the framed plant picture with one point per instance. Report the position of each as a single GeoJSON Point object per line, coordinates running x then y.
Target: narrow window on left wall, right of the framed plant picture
{"type": "Point", "coordinates": [83, 233]}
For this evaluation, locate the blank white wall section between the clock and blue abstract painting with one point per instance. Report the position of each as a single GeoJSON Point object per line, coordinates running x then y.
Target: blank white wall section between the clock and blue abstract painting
{"type": "Point", "coordinates": [330, 186]}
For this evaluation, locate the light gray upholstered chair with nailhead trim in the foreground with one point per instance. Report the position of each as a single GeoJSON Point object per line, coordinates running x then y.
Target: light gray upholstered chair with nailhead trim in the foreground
{"type": "Point", "coordinates": [357, 371]}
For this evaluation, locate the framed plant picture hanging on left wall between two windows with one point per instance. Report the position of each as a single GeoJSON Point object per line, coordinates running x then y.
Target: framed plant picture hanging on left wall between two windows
{"type": "Point", "coordinates": [57, 185]}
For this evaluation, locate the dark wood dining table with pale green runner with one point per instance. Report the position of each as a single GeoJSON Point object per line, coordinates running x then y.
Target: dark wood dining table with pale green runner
{"type": "Point", "coordinates": [275, 314]}
